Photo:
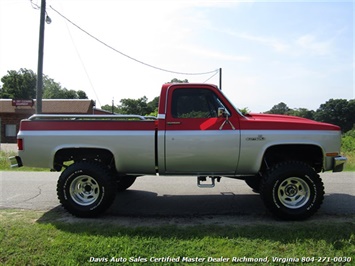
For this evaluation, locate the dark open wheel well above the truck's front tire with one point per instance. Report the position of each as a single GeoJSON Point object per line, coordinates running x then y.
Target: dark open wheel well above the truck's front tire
{"type": "Point", "coordinates": [310, 154]}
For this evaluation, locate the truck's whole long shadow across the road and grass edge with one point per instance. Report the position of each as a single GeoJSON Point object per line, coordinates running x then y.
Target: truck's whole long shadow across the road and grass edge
{"type": "Point", "coordinates": [135, 208]}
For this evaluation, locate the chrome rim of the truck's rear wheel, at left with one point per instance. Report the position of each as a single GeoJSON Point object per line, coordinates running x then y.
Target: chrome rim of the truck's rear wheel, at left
{"type": "Point", "coordinates": [84, 190]}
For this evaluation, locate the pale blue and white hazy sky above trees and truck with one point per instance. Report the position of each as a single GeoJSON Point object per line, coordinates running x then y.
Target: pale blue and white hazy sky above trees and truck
{"type": "Point", "coordinates": [297, 52]}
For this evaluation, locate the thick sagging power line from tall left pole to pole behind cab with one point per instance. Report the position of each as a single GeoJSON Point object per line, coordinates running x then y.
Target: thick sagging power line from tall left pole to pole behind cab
{"type": "Point", "coordinates": [130, 57]}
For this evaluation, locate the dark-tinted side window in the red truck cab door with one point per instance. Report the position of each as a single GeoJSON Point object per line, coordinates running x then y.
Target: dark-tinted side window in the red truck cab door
{"type": "Point", "coordinates": [194, 103]}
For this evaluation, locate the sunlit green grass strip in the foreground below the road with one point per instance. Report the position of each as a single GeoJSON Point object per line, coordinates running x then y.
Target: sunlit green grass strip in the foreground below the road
{"type": "Point", "coordinates": [45, 238]}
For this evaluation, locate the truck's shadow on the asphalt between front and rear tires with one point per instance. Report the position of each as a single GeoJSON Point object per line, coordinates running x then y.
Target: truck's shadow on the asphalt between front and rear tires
{"type": "Point", "coordinates": [137, 202]}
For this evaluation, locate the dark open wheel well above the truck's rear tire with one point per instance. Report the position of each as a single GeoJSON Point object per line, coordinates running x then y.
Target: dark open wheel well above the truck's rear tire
{"type": "Point", "coordinates": [80, 154]}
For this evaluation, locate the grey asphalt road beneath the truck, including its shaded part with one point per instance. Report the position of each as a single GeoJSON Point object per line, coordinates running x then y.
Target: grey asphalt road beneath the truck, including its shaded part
{"type": "Point", "coordinates": [159, 196]}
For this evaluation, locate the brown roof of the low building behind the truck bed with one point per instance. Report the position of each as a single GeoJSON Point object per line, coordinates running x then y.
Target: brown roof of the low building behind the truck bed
{"type": "Point", "coordinates": [51, 106]}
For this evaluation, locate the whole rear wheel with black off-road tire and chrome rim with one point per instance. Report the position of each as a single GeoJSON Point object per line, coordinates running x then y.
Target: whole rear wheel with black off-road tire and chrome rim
{"type": "Point", "coordinates": [86, 189]}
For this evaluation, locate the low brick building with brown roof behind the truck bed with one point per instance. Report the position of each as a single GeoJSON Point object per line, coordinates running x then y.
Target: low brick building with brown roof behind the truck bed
{"type": "Point", "coordinates": [11, 113]}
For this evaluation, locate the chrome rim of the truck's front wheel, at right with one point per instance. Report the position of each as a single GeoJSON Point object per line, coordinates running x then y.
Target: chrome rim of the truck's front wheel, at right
{"type": "Point", "coordinates": [293, 192]}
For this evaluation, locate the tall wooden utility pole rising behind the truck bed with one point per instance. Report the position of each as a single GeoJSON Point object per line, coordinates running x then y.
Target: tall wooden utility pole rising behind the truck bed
{"type": "Point", "coordinates": [39, 87]}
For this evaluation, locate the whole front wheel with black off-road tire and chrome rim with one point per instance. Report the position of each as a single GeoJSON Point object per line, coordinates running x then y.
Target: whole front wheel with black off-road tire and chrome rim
{"type": "Point", "coordinates": [292, 191]}
